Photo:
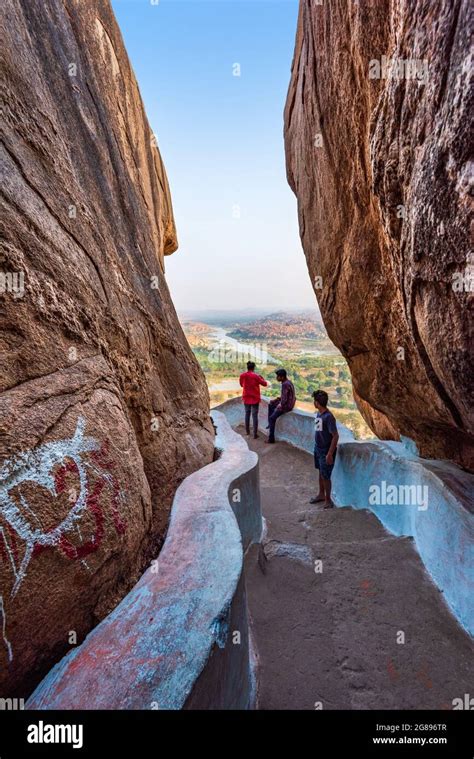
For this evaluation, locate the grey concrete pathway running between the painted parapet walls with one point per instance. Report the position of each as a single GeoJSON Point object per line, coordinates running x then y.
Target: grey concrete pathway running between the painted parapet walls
{"type": "Point", "coordinates": [329, 635]}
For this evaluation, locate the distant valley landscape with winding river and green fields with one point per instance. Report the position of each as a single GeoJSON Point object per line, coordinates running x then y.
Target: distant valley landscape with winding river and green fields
{"type": "Point", "coordinates": [223, 342]}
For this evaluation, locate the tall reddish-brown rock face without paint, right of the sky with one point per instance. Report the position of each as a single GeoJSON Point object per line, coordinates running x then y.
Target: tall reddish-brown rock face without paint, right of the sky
{"type": "Point", "coordinates": [377, 128]}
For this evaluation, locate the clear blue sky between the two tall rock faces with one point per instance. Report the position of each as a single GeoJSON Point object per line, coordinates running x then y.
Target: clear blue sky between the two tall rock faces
{"type": "Point", "coordinates": [221, 139]}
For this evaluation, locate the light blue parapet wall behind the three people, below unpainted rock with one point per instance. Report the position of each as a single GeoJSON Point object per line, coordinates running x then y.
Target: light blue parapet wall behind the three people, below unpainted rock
{"type": "Point", "coordinates": [428, 500]}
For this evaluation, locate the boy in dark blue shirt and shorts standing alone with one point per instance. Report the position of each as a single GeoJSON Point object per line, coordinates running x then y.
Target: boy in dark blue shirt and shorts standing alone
{"type": "Point", "coordinates": [325, 447]}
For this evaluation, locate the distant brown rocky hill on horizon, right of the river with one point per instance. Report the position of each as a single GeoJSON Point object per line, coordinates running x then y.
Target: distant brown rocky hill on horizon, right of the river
{"type": "Point", "coordinates": [282, 326]}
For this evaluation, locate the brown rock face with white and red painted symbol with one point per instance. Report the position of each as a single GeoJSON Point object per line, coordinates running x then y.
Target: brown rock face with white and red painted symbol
{"type": "Point", "coordinates": [103, 408]}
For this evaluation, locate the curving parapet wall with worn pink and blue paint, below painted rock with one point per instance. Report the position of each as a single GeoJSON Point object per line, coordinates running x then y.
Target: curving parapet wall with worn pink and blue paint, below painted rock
{"type": "Point", "coordinates": [172, 642]}
